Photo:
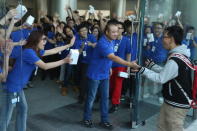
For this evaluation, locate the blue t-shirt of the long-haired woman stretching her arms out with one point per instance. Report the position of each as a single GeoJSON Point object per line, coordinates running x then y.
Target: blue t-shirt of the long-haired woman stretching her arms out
{"type": "Point", "coordinates": [22, 70]}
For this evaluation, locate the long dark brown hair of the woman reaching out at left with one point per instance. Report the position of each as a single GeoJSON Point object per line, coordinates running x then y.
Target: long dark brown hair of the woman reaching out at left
{"type": "Point", "coordinates": [33, 40]}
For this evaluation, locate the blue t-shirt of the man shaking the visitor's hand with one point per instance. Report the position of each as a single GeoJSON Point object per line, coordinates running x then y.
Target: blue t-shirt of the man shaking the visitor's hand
{"type": "Point", "coordinates": [100, 65]}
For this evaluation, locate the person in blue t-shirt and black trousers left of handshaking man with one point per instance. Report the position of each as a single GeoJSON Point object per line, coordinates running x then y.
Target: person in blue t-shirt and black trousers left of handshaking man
{"type": "Point", "coordinates": [85, 43]}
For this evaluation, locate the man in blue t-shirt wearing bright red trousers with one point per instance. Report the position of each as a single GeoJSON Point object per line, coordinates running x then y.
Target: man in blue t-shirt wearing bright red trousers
{"type": "Point", "coordinates": [122, 48]}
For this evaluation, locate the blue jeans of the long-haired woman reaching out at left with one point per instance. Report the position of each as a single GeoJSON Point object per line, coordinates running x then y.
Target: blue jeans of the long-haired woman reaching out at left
{"type": "Point", "coordinates": [7, 107]}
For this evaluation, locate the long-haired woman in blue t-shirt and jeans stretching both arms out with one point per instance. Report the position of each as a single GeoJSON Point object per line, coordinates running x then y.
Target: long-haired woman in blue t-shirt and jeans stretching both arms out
{"type": "Point", "coordinates": [20, 74]}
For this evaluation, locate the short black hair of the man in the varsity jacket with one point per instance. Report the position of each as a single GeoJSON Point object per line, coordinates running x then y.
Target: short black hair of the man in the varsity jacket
{"type": "Point", "coordinates": [176, 32]}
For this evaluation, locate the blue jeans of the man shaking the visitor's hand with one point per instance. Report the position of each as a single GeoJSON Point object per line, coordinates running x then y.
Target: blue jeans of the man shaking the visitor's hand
{"type": "Point", "coordinates": [103, 87]}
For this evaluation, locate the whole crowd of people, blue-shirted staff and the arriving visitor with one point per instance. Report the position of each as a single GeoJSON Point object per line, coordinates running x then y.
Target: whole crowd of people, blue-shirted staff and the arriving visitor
{"type": "Point", "coordinates": [107, 48]}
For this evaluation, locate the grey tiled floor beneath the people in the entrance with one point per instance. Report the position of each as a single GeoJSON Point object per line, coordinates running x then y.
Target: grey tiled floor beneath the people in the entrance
{"type": "Point", "coordinates": [49, 111]}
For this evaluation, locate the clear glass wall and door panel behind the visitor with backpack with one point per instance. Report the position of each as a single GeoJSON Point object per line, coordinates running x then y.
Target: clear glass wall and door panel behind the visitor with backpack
{"type": "Point", "coordinates": [156, 15]}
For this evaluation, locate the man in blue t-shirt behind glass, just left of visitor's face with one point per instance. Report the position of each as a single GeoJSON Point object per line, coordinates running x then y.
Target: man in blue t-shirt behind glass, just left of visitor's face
{"type": "Point", "coordinates": [158, 54]}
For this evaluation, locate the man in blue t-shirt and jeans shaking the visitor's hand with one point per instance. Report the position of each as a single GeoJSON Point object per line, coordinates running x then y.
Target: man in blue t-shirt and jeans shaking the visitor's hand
{"type": "Point", "coordinates": [98, 74]}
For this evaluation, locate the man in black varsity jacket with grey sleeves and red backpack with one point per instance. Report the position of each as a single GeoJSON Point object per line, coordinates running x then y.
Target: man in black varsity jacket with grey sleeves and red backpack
{"type": "Point", "coordinates": [176, 79]}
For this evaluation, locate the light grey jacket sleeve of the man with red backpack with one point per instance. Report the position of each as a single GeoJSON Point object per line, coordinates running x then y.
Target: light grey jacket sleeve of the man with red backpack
{"type": "Point", "coordinates": [169, 72]}
